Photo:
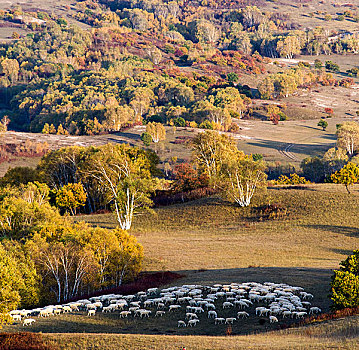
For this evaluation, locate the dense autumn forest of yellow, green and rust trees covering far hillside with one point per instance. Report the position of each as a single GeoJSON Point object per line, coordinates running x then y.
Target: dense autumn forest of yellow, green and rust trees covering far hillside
{"type": "Point", "coordinates": [146, 61]}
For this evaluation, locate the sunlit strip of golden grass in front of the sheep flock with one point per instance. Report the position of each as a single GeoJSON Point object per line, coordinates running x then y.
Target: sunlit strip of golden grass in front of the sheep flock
{"type": "Point", "coordinates": [322, 336]}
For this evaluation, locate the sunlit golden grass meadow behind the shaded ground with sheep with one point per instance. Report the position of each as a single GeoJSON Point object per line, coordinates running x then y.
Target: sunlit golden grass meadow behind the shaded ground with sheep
{"type": "Point", "coordinates": [320, 230]}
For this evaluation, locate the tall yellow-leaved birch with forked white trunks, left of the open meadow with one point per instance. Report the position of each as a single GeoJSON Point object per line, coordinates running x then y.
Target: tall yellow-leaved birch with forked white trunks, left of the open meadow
{"type": "Point", "coordinates": [124, 173]}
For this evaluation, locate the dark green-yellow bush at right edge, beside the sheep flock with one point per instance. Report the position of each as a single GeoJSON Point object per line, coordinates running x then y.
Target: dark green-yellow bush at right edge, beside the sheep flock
{"type": "Point", "coordinates": [345, 283]}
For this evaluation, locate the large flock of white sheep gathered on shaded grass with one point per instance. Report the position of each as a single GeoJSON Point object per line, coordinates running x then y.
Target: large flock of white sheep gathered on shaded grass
{"type": "Point", "coordinates": [193, 303]}
